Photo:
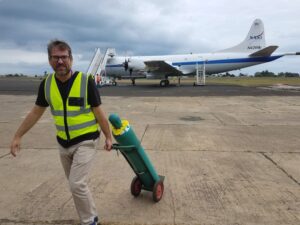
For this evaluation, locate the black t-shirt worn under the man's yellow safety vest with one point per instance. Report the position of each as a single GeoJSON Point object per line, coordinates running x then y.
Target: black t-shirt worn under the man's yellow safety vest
{"type": "Point", "coordinates": [64, 87]}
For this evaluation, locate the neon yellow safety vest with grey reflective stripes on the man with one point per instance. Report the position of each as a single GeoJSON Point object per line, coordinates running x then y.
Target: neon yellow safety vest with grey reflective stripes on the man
{"type": "Point", "coordinates": [76, 118]}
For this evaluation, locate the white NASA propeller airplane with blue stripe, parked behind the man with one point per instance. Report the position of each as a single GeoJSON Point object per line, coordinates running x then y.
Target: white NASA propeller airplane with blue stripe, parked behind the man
{"type": "Point", "coordinates": [251, 51]}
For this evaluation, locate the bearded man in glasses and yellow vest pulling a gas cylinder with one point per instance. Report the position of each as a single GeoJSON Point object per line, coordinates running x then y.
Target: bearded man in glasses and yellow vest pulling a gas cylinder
{"type": "Point", "coordinates": [75, 106]}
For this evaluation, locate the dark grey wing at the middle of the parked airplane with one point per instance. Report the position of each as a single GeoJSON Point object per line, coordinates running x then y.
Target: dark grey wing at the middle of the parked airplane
{"type": "Point", "coordinates": [160, 66]}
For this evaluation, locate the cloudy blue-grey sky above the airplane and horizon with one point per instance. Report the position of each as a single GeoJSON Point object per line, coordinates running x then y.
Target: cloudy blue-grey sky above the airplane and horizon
{"type": "Point", "coordinates": [140, 27]}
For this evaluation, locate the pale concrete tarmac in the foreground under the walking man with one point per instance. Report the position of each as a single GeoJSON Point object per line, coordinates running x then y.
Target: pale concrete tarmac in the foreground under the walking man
{"type": "Point", "coordinates": [227, 160]}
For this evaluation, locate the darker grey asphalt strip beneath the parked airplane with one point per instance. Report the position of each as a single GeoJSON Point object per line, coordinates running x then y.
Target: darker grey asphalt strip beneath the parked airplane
{"type": "Point", "coordinates": [29, 86]}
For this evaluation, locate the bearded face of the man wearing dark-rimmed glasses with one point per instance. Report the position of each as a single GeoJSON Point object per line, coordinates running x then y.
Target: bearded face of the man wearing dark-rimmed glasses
{"type": "Point", "coordinates": [60, 61]}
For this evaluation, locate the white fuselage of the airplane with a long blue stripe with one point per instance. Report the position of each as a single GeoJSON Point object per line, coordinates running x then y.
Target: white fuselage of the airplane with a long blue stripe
{"type": "Point", "coordinates": [187, 64]}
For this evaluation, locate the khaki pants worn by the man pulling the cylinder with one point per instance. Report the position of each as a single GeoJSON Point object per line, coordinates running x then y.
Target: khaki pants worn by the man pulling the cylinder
{"type": "Point", "coordinates": [76, 161]}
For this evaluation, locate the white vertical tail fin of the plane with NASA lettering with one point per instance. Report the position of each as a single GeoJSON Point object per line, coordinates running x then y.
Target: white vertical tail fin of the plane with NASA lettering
{"type": "Point", "coordinates": [254, 41]}
